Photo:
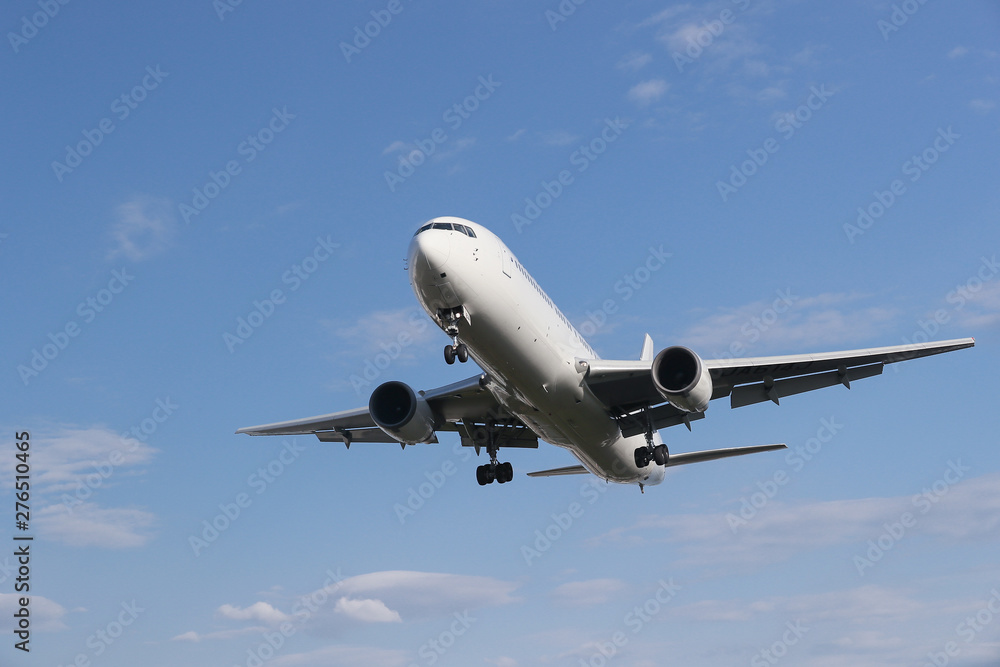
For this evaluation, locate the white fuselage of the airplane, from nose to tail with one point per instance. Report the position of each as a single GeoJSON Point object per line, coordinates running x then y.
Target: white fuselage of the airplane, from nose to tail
{"type": "Point", "coordinates": [527, 347]}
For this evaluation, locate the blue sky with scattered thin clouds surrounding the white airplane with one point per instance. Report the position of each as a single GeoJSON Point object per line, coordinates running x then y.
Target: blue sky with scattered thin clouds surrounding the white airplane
{"type": "Point", "coordinates": [823, 178]}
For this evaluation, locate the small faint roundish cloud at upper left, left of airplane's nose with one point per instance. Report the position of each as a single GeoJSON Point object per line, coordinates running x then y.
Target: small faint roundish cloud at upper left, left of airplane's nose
{"type": "Point", "coordinates": [145, 226]}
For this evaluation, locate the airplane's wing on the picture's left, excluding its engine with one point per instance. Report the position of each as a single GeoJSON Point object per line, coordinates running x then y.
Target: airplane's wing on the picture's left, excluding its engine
{"type": "Point", "coordinates": [463, 406]}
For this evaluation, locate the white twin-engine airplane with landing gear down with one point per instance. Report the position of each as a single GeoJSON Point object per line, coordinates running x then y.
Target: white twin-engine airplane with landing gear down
{"type": "Point", "coordinates": [542, 381]}
